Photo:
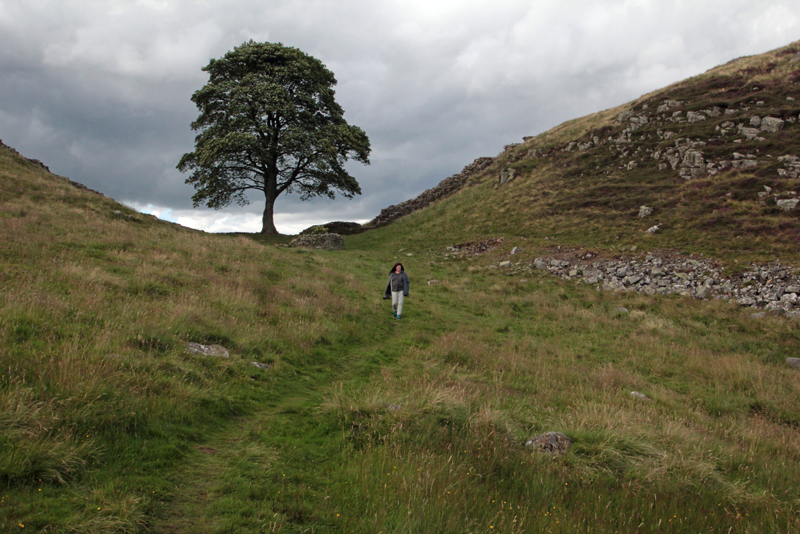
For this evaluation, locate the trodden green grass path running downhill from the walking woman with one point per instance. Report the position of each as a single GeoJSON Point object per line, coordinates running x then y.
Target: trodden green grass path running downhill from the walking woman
{"type": "Point", "coordinates": [269, 471]}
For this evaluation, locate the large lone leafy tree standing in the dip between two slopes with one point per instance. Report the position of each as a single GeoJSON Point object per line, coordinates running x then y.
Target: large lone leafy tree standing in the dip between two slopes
{"type": "Point", "coordinates": [269, 122]}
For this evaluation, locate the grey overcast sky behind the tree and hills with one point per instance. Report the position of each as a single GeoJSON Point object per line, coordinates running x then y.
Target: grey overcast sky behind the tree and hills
{"type": "Point", "coordinates": [99, 90]}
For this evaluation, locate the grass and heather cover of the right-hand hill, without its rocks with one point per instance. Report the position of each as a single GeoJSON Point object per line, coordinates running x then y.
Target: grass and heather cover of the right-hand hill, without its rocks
{"type": "Point", "coordinates": [587, 197]}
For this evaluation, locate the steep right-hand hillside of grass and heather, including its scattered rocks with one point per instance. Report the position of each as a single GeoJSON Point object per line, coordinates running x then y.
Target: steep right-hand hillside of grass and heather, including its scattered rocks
{"type": "Point", "coordinates": [709, 165]}
